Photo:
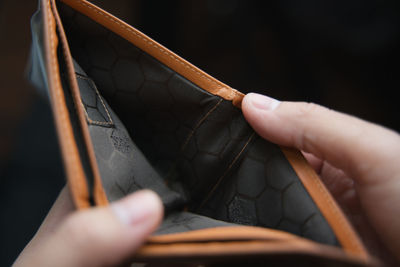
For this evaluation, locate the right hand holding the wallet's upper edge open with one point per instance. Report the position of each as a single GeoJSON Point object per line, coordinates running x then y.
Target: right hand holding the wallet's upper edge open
{"type": "Point", "coordinates": [358, 161]}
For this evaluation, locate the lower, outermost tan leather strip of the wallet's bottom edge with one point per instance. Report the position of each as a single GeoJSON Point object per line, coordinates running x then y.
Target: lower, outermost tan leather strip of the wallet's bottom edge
{"type": "Point", "coordinates": [237, 249]}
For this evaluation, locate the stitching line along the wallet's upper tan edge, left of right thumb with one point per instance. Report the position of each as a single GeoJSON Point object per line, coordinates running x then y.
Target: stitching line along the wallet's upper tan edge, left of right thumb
{"type": "Point", "coordinates": [153, 44]}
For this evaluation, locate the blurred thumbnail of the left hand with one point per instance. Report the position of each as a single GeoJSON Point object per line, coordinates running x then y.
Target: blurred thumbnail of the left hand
{"type": "Point", "coordinates": [138, 207]}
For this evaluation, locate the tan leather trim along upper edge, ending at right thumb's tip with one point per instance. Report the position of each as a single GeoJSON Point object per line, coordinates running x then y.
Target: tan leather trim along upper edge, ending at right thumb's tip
{"type": "Point", "coordinates": [178, 64]}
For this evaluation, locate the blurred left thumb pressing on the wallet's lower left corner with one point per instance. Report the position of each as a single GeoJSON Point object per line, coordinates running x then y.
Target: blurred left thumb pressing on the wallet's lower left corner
{"type": "Point", "coordinates": [106, 235]}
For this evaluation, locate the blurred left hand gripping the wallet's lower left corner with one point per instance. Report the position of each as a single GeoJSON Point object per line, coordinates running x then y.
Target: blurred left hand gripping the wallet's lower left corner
{"type": "Point", "coordinates": [101, 236]}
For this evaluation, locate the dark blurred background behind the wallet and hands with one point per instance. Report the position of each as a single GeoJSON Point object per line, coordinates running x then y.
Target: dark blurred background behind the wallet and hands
{"type": "Point", "coordinates": [341, 54]}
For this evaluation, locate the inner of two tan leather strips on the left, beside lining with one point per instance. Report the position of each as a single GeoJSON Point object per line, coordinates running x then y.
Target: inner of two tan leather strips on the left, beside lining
{"type": "Point", "coordinates": [98, 191]}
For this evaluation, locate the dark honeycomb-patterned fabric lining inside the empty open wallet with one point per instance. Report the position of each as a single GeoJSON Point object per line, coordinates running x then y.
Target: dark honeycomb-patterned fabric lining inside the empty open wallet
{"type": "Point", "coordinates": [191, 147]}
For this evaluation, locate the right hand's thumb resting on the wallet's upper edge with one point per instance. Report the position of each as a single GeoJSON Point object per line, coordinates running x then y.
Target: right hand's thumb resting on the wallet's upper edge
{"type": "Point", "coordinates": [358, 147]}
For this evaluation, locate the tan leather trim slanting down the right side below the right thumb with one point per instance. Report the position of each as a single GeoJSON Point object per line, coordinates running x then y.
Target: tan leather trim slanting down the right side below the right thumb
{"type": "Point", "coordinates": [325, 202]}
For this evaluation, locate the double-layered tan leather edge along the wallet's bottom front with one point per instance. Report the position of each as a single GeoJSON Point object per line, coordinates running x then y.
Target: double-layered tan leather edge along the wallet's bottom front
{"type": "Point", "coordinates": [231, 242]}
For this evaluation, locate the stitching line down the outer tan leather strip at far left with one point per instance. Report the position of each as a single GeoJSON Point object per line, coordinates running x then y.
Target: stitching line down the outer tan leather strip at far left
{"type": "Point", "coordinates": [73, 167]}
